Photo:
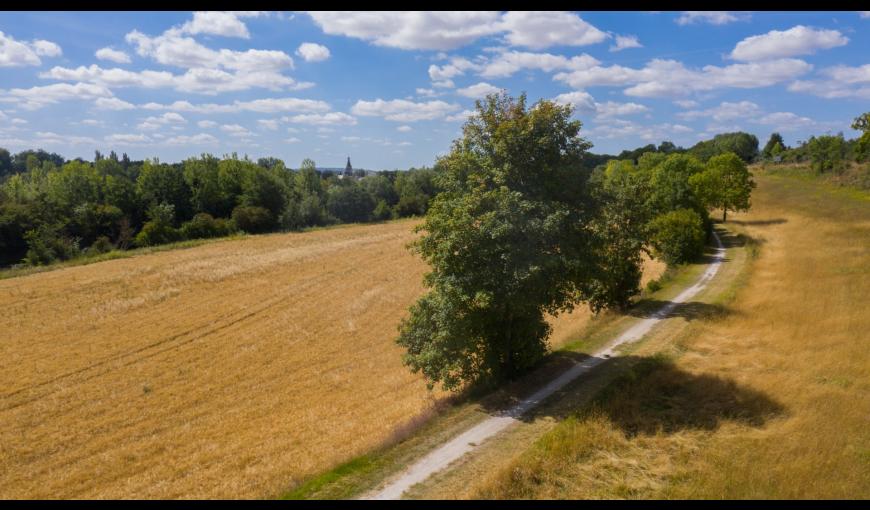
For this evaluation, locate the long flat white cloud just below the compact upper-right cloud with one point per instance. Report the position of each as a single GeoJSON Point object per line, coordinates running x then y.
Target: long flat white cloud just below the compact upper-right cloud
{"type": "Point", "coordinates": [662, 78]}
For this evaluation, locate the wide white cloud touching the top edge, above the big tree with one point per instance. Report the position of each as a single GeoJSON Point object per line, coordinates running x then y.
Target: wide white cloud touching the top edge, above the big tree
{"type": "Point", "coordinates": [447, 30]}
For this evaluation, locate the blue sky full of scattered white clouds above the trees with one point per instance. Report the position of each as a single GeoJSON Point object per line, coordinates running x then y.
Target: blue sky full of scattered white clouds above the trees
{"type": "Point", "coordinates": [391, 90]}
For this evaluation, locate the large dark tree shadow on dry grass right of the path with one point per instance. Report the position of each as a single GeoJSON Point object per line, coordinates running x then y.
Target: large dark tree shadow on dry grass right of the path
{"type": "Point", "coordinates": [651, 395]}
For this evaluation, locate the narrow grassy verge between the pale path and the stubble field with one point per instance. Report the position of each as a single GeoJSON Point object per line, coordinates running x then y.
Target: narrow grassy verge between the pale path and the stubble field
{"type": "Point", "coordinates": [363, 473]}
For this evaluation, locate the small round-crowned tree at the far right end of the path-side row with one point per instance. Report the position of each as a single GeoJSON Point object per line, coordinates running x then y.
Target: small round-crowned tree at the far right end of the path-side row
{"type": "Point", "coordinates": [725, 184]}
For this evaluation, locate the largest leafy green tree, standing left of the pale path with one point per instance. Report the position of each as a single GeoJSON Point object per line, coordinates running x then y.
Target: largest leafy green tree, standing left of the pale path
{"type": "Point", "coordinates": [507, 241]}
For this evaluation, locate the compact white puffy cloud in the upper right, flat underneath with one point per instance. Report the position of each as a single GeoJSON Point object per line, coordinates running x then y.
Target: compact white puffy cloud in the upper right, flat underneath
{"type": "Point", "coordinates": [799, 40]}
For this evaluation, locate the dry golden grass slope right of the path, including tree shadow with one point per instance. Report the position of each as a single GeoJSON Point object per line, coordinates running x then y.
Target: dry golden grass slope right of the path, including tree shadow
{"type": "Point", "coordinates": [769, 401]}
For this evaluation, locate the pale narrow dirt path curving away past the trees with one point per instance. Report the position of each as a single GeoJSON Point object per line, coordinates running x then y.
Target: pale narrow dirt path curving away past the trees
{"type": "Point", "coordinates": [442, 456]}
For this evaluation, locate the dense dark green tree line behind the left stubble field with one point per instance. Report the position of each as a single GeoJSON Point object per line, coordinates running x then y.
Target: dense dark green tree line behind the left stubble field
{"type": "Point", "coordinates": [53, 209]}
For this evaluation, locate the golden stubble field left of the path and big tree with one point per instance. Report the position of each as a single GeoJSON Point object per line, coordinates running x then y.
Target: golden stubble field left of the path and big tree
{"type": "Point", "coordinates": [228, 370]}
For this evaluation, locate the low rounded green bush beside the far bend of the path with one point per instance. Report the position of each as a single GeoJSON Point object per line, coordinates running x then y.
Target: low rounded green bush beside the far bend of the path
{"type": "Point", "coordinates": [678, 236]}
